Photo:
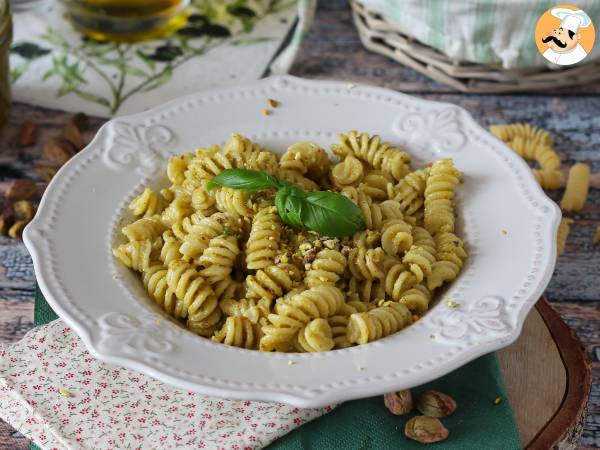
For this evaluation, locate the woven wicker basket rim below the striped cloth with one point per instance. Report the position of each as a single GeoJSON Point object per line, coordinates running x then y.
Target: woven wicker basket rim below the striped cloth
{"type": "Point", "coordinates": [379, 35]}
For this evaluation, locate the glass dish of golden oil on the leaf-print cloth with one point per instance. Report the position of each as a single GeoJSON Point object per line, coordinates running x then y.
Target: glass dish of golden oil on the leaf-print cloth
{"type": "Point", "coordinates": [126, 20]}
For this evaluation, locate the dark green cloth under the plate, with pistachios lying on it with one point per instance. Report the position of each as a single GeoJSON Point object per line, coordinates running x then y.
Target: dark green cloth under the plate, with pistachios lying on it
{"type": "Point", "coordinates": [366, 424]}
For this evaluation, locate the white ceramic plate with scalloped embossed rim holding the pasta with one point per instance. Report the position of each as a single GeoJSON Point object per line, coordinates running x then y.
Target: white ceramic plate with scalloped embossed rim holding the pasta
{"type": "Point", "coordinates": [508, 223]}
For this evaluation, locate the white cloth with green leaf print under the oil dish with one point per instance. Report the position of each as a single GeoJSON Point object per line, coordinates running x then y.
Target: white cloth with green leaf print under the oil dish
{"type": "Point", "coordinates": [224, 42]}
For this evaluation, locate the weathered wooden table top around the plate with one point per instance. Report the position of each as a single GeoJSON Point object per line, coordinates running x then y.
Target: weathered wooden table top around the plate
{"type": "Point", "coordinates": [332, 50]}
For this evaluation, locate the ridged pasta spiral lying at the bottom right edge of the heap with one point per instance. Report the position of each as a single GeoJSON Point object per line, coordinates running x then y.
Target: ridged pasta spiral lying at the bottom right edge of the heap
{"type": "Point", "coordinates": [377, 323]}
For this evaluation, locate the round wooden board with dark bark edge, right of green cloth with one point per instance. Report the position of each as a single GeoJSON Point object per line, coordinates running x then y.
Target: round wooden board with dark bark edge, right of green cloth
{"type": "Point", "coordinates": [548, 377]}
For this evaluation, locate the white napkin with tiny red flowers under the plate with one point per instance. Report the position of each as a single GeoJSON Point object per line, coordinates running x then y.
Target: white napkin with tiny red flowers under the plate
{"type": "Point", "coordinates": [56, 394]}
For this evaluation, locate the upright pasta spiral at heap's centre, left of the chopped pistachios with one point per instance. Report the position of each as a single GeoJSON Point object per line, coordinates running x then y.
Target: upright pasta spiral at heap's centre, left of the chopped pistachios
{"type": "Point", "coordinates": [263, 241]}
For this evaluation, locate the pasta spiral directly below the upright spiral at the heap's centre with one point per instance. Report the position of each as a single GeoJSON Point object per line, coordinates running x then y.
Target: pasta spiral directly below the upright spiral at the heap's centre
{"type": "Point", "coordinates": [272, 282]}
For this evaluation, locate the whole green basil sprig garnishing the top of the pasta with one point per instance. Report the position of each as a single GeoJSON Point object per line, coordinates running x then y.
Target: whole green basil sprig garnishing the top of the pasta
{"type": "Point", "coordinates": [324, 212]}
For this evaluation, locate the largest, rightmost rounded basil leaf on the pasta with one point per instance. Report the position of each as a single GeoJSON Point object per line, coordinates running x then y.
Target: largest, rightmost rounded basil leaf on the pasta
{"type": "Point", "coordinates": [331, 214]}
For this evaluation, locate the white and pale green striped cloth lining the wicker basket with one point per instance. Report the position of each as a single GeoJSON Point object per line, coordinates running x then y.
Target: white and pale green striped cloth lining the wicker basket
{"type": "Point", "coordinates": [479, 31]}
